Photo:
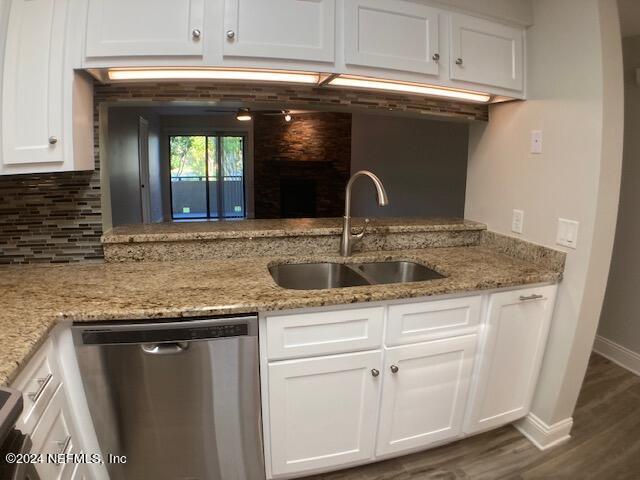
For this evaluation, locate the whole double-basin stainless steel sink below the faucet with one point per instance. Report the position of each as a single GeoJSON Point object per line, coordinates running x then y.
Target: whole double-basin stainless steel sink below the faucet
{"type": "Point", "coordinates": [316, 276]}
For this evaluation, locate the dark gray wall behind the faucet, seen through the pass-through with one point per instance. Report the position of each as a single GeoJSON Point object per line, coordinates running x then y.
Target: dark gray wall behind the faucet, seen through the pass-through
{"type": "Point", "coordinates": [422, 163]}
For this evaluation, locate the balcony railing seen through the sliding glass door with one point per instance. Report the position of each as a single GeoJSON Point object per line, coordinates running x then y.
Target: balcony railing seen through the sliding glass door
{"type": "Point", "coordinates": [189, 197]}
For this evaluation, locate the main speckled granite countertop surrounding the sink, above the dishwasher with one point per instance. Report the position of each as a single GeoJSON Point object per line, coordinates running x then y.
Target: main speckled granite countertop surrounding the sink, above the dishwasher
{"type": "Point", "coordinates": [35, 298]}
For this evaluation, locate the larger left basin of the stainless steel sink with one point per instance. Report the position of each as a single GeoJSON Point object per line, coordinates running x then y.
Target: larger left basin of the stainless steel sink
{"type": "Point", "coordinates": [315, 276]}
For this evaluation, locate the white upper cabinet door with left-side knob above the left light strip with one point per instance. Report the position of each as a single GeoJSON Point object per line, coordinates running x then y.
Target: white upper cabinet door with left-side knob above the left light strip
{"type": "Point", "coordinates": [286, 29]}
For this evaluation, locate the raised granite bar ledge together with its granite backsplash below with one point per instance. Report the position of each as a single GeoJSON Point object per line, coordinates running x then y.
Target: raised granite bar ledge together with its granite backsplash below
{"type": "Point", "coordinates": [250, 238]}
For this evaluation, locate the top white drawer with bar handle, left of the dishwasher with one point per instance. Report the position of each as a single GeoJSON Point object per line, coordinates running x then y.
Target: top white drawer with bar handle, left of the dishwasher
{"type": "Point", "coordinates": [37, 382]}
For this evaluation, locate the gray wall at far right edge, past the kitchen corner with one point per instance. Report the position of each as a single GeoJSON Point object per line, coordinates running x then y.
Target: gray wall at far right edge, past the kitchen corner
{"type": "Point", "coordinates": [620, 319]}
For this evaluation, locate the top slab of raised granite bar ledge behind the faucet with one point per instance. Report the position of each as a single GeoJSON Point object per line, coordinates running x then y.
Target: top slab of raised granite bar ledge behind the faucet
{"type": "Point", "coordinates": [303, 227]}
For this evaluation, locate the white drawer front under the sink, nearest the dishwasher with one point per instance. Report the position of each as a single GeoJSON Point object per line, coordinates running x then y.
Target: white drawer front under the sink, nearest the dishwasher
{"type": "Point", "coordinates": [321, 333]}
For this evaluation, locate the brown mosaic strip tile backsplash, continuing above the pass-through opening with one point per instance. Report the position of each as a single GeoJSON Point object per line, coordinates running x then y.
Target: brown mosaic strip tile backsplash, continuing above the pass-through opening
{"type": "Point", "coordinates": [57, 217]}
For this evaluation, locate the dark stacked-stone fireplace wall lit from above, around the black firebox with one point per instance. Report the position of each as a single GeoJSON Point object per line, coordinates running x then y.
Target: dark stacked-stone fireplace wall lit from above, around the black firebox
{"type": "Point", "coordinates": [313, 147]}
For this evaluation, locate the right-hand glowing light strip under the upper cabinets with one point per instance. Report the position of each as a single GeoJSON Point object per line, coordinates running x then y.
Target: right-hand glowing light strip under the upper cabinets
{"type": "Point", "coordinates": [415, 88]}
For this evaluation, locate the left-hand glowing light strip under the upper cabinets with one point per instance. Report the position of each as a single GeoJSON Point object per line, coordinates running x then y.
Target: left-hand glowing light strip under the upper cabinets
{"type": "Point", "coordinates": [213, 74]}
